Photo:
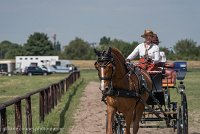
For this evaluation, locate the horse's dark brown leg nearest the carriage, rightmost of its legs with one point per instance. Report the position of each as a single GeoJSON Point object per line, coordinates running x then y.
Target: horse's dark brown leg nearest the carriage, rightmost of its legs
{"type": "Point", "coordinates": [137, 117]}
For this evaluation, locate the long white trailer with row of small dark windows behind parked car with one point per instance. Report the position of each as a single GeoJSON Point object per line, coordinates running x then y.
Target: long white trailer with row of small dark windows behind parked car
{"type": "Point", "coordinates": [24, 61]}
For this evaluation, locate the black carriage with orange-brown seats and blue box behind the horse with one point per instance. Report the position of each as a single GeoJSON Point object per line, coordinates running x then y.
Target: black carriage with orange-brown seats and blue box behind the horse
{"type": "Point", "coordinates": [175, 114]}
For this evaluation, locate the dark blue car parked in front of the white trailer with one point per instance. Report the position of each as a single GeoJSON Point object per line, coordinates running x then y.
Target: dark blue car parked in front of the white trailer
{"type": "Point", "coordinates": [35, 71]}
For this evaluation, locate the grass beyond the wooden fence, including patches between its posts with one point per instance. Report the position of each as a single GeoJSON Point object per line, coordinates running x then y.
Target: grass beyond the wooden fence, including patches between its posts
{"type": "Point", "coordinates": [14, 86]}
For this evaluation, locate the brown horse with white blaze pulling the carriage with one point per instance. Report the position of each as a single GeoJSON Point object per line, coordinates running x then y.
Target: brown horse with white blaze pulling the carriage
{"type": "Point", "coordinates": [114, 75]}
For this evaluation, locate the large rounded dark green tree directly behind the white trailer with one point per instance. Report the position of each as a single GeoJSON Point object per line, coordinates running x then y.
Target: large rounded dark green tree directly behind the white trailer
{"type": "Point", "coordinates": [38, 44]}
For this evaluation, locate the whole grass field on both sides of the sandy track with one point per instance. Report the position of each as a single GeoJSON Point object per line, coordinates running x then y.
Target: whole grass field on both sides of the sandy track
{"type": "Point", "coordinates": [62, 115]}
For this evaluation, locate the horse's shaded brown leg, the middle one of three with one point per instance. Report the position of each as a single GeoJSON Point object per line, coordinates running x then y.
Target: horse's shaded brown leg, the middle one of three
{"type": "Point", "coordinates": [128, 119]}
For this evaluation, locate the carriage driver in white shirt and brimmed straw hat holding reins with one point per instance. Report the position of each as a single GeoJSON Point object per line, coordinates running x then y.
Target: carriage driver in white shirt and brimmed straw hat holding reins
{"type": "Point", "coordinates": [148, 52]}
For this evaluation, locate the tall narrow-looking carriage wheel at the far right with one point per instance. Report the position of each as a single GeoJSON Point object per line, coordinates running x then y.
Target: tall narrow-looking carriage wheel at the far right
{"type": "Point", "coordinates": [182, 118]}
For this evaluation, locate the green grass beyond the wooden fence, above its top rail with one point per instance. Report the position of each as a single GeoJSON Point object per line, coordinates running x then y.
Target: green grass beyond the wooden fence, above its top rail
{"type": "Point", "coordinates": [13, 86]}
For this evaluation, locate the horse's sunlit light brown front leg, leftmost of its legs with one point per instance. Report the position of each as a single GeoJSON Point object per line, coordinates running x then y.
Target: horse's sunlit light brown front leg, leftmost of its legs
{"type": "Point", "coordinates": [110, 114]}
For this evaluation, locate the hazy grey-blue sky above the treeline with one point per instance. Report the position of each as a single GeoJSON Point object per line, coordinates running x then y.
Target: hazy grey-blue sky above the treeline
{"type": "Point", "coordinates": [90, 20]}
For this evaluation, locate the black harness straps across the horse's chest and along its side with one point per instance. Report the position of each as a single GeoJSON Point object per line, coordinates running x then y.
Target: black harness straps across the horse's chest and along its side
{"type": "Point", "coordinates": [118, 92]}
